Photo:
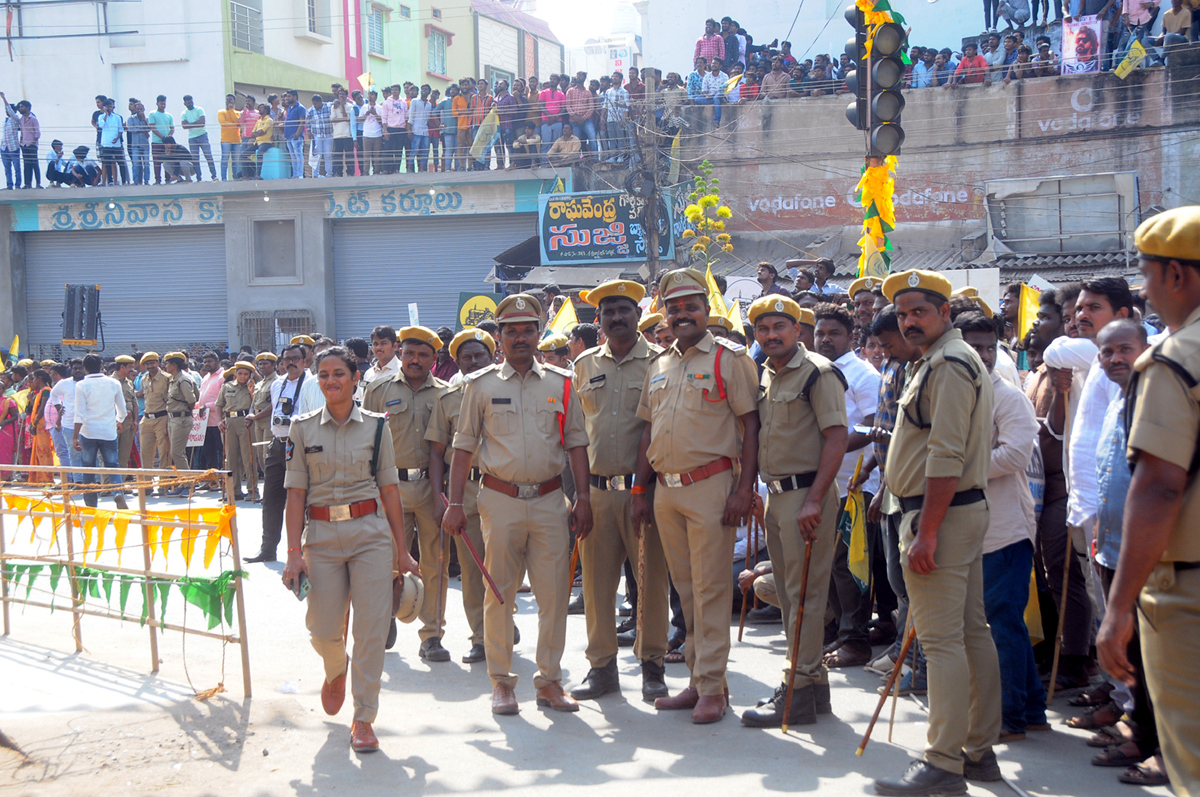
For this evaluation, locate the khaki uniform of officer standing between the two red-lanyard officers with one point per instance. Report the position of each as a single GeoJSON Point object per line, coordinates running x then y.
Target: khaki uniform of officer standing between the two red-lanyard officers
{"type": "Point", "coordinates": [610, 393]}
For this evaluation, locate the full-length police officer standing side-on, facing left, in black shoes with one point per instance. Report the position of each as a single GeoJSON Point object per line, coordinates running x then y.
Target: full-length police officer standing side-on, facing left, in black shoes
{"type": "Point", "coordinates": [938, 469]}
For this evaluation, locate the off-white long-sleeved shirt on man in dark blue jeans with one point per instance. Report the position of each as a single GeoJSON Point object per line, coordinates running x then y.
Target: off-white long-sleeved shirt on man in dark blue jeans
{"type": "Point", "coordinates": [1015, 433]}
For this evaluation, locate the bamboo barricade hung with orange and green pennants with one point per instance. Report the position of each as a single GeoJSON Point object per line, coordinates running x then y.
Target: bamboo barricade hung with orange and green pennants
{"type": "Point", "coordinates": [69, 518]}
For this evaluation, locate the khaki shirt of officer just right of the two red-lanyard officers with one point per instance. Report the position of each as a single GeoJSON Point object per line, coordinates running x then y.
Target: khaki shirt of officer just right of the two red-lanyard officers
{"type": "Point", "coordinates": [790, 442]}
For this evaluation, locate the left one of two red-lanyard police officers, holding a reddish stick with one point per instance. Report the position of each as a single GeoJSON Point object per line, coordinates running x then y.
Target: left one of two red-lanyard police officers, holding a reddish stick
{"type": "Point", "coordinates": [521, 422]}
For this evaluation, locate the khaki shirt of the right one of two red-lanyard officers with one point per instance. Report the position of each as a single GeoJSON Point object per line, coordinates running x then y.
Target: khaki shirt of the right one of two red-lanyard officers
{"type": "Point", "coordinates": [688, 432]}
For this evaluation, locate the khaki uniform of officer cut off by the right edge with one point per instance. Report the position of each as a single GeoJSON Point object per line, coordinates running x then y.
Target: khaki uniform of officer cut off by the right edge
{"type": "Point", "coordinates": [1166, 424]}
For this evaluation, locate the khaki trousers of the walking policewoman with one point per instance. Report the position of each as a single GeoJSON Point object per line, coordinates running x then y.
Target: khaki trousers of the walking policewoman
{"type": "Point", "coordinates": [350, 566]}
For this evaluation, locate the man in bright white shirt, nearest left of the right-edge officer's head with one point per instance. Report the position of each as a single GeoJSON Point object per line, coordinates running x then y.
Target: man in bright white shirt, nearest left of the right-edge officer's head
{"type": "Point", "coordinates": [1100, 302]}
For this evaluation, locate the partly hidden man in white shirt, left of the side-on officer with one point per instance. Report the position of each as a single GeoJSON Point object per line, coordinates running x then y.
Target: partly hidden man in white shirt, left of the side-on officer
{"type": "Point", "coordinates": [835, 340]}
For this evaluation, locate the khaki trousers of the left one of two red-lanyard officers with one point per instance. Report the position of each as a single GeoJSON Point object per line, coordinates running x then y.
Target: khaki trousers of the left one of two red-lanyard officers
{"type": "Point", "coordinates": [526, 534]}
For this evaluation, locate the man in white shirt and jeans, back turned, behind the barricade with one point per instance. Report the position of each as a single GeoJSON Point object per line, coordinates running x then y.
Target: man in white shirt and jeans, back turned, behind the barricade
{"type": "Point", "coordinates": [99, 408]}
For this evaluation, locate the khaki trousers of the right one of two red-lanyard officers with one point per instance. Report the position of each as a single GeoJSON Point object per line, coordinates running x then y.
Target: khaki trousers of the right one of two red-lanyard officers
{"type": "Point", "coordinates": [699, 550]}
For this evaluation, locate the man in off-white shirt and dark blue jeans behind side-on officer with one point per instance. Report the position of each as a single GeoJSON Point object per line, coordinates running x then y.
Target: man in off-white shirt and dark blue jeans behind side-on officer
{"type": "Point", "coordinates": [1009, 543]}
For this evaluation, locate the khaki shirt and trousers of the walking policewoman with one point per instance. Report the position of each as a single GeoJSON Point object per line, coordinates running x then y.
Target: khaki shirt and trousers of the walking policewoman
{"type": "Point", "coordinates": [350, 562]}
